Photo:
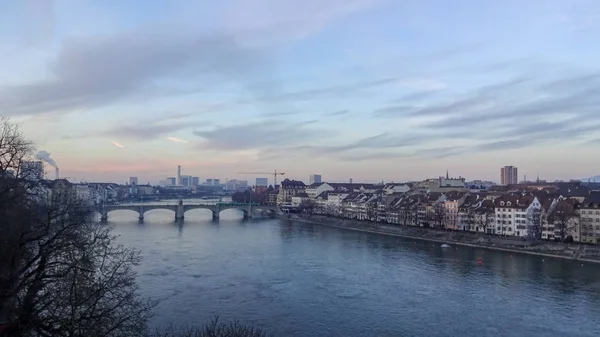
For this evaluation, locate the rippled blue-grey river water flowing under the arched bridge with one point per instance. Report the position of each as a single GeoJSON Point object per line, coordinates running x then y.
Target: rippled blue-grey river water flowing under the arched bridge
{"type": "Point", "coordinates": [297, 279]}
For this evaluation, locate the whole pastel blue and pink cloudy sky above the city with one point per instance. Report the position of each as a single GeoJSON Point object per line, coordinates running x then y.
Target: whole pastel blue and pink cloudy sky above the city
{"type": "Point", "coordinates": [365, 89]}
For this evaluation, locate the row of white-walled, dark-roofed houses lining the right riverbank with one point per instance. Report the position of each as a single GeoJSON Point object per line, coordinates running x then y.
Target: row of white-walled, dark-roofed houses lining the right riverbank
{"type": "Point", "coordinates": [546, 212]}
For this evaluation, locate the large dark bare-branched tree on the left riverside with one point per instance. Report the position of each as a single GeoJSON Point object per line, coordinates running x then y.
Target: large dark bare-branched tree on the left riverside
{"type": "Point", "coordinates": [61, 274]}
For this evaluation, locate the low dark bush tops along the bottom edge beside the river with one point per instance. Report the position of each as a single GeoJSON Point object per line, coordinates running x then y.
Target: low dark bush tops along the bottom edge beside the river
{"type": "Point", "coordinates": [215, 328]}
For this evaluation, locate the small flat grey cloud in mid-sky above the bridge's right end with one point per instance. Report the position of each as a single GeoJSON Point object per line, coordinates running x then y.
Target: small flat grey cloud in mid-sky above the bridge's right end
{"type": "Point", "coordinates": [260, 135]}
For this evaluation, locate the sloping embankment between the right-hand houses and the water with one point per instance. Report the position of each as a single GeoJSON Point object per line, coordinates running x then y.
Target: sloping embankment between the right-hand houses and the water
{"type": "Point", "coordinates": [574, 251]}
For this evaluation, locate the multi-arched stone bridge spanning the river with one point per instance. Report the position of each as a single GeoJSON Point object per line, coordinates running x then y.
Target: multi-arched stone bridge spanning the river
{"type": "Point", "coordinates": [180, 209]}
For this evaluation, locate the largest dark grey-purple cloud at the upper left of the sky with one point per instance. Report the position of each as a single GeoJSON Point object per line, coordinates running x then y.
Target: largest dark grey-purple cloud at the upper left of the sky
{"type": "Point", "coordinates": [100, 70]}
